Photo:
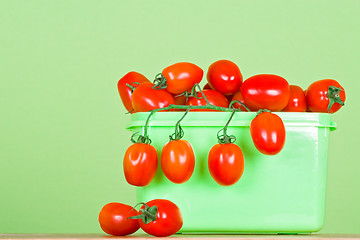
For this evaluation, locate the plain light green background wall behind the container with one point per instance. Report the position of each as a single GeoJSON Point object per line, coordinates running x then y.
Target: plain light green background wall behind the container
{"type": "Point", "coordinates": [62, 125]}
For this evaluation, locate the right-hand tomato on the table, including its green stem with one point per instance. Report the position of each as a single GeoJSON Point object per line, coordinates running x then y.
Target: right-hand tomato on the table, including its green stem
{"type": "Point", "coordinates": [160, 218]}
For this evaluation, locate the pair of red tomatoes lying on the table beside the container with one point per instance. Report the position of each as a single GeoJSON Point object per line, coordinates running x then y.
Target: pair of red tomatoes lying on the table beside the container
{"type": "Point", "coordinates": [158, 217]}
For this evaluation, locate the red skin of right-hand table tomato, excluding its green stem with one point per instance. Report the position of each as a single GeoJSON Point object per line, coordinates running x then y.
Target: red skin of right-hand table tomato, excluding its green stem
{"type": "Point", "coordinates": [168, 219]}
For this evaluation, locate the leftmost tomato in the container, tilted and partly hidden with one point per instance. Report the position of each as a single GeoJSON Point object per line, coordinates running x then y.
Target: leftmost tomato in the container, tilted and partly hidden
{"type": "Point", "coordinates": [125, 91]}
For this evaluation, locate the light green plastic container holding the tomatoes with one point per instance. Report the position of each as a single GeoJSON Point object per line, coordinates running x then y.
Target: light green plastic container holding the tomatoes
{"type": "Point", "coordinates": [284, 193]}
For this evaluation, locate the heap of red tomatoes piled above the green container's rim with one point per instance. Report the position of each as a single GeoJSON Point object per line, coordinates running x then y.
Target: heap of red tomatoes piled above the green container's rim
{"type": "Point", "coordinates": [175, 84]}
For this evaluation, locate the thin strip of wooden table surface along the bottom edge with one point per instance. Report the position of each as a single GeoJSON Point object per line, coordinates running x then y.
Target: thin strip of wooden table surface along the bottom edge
{"type": "Point", "coordinates": [182, 236]}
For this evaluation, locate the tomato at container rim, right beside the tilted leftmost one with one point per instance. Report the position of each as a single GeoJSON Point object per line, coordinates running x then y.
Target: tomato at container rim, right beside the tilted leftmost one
{"type": "Point", "coordinates": [145, 98]}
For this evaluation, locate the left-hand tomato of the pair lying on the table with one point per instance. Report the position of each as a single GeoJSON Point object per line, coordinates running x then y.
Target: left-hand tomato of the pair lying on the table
{"type": "Point", "coordinates": [113, 219]}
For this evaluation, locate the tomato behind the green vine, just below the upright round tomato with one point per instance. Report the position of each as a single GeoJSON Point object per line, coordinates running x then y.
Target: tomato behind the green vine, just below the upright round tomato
{"type": "Point", "coordinates": [214, 98]}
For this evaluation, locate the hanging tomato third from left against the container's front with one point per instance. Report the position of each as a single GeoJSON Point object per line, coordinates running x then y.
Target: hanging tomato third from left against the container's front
{"type": "Point", "coordinates": [226, 163]}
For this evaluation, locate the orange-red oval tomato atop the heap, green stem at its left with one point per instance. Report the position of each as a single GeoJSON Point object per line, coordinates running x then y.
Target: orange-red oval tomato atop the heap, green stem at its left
{"type": "Point", "coordinates": [182, 76]}
